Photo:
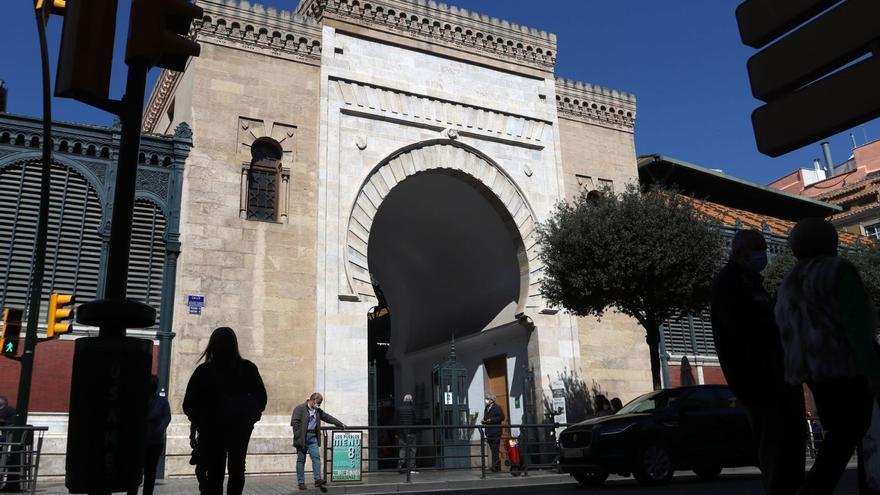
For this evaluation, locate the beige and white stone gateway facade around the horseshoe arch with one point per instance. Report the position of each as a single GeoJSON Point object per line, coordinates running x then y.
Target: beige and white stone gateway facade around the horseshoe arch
{"type": "Point", "coordinates": [359, 97]}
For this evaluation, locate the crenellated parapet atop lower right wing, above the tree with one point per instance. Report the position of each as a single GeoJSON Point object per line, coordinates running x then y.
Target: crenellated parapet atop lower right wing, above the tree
{"type": "Point", "coordinates": [595, 105]}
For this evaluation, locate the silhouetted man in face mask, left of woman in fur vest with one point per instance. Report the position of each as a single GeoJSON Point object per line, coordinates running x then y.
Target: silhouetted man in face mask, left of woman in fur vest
{"type": "Point", "coordinates": [750, 351]}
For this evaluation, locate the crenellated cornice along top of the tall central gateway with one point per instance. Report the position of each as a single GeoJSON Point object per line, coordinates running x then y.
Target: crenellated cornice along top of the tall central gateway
{"type": "Point", "coordinates": [443, 25]}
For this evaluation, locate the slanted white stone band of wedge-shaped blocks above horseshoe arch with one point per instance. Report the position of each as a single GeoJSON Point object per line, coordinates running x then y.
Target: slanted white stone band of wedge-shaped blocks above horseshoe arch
{"type": "Point", "coordinates": [441, 113]}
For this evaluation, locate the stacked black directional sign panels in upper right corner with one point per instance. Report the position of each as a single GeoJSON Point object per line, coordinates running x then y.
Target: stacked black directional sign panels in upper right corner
{"type": "Point", "coordinates": [807, 78]}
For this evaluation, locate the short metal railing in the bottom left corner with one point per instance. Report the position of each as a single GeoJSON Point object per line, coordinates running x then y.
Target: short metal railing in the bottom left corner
{"type": "Point", "coordinates": [20, 448]}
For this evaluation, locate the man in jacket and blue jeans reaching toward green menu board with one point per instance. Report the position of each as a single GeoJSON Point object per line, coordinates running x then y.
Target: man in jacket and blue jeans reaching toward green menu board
{"type": "Point", "coordinates": [306, 423]}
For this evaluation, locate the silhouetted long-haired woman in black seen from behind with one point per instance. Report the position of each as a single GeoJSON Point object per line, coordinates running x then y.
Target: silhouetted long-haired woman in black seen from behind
{"type": "Point", "coordinates": [224, 398]}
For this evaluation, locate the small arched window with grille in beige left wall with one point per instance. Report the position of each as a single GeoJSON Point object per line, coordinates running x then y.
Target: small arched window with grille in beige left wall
{"type": "Point", "coordinates": [264, 180]}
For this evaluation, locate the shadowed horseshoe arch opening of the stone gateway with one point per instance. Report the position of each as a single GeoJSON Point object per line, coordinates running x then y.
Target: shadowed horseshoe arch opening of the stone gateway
{"type": "Point", "coordinates": [445, 257]}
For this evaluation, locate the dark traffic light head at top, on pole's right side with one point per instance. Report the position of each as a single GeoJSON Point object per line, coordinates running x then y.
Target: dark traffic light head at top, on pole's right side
{"type": "Point", "coordinates": [158, 33]}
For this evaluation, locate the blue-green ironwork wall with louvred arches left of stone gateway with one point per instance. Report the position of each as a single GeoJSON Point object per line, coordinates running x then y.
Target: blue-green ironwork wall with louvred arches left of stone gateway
{"type": "Point", "coordinates": [84, 158]}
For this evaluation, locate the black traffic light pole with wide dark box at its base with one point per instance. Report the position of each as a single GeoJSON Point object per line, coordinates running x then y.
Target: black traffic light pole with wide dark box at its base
{"type": "Point", "coordinates": [111, 372]}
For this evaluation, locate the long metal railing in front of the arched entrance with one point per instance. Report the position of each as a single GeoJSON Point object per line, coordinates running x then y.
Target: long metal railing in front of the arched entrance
{"type": "Point", "coordinates": [446, 448]}
